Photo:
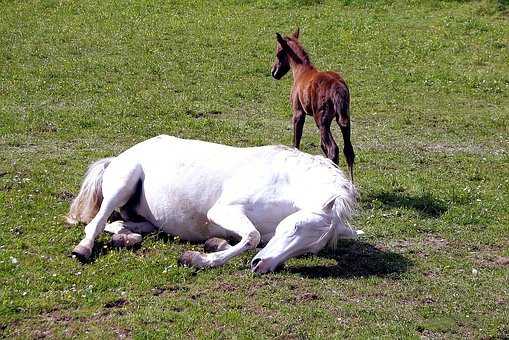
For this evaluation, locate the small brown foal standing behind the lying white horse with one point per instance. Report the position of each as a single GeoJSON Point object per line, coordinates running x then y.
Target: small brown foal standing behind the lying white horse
{"type": "Point", "coordinates": [323, 95]}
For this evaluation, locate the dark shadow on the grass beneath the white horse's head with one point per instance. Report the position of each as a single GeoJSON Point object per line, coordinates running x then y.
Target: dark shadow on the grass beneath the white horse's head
{"type": "Point", "coordinates": [356, 259]}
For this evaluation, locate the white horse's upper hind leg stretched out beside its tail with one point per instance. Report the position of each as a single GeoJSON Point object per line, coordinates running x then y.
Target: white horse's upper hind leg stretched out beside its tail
{"type": "Point", "coordinates": [117, 189]}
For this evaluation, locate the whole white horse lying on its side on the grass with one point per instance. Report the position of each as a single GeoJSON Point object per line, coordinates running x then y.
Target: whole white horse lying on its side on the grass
{"type": "Point", "coordinates": [293, 202]}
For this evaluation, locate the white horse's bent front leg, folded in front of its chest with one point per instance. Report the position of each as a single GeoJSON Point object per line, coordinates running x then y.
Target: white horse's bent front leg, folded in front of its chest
{"type": "Point", "coordinates": [233, 220]}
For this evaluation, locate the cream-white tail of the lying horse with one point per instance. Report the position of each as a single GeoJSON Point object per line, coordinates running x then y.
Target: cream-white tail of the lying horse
{"type": "Point", "coordinates": [86, 205]}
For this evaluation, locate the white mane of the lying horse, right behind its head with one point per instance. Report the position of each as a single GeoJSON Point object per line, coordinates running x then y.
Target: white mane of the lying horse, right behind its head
{"type": "Point", "coordinates": [342, 210]}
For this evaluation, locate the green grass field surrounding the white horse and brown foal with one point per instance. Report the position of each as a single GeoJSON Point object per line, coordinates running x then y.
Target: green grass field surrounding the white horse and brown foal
{"type": "Point", "coordinates": [81, 80]}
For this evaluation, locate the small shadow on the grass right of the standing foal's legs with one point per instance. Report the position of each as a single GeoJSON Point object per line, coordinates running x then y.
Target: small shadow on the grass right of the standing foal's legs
{"type": "Point", "coordinates": [425, 204]}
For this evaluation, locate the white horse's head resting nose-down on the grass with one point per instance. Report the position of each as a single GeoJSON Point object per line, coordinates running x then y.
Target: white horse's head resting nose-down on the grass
{"type": "Point", "coordinates": [300, 233]}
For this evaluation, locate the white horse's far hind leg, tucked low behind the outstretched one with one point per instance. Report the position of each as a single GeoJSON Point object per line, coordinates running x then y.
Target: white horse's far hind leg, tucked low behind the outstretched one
{"type": "Point", "coordinates": [128, 234]}
